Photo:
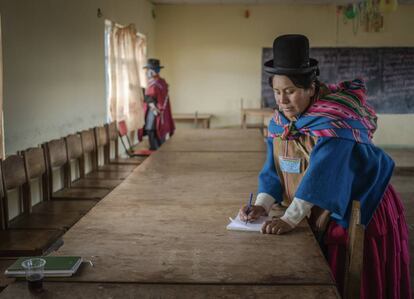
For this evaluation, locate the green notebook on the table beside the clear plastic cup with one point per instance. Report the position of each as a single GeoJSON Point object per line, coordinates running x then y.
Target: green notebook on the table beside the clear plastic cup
{"type": "Point", "coordinates": [55, 266]}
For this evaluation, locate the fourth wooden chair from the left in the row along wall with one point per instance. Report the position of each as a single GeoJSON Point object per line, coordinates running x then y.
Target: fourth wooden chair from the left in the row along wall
{"type": "Point", "coordinates": [76, 155]}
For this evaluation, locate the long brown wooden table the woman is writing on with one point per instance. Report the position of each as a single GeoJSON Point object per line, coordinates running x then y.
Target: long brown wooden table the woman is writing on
{"type": "Point", "coordinates": [162, 233]}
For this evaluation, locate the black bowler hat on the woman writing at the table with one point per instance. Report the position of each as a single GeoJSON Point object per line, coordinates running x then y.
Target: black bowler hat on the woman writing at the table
{"type": "Point", "coordinates": [291, 56]}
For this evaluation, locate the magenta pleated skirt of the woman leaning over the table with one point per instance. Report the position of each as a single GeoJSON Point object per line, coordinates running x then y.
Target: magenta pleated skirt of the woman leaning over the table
{"type": "Point", "coordinates": [386, 252]}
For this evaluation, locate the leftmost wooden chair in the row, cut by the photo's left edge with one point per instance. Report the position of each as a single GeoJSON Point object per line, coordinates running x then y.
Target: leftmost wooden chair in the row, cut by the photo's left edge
{"type": "Point", "coordinates": [21, 242]}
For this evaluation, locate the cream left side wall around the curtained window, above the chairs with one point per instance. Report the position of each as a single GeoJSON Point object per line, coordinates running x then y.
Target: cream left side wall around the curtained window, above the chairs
{"type": "Point", "coordinates": [53, 60]}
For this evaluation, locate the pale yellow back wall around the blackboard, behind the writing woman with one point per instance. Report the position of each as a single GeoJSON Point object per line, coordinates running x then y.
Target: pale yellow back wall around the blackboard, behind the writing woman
{"type": "Point", "coordinates": [212, 54]}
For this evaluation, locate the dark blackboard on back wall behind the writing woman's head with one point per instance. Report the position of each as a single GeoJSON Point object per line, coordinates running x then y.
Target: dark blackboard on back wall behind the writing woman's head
{"type": "Point", "coordinates": [388, 74]}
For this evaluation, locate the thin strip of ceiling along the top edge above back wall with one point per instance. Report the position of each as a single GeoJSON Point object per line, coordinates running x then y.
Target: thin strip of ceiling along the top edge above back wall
{"type": "Point", "coordinates": [263, 1]}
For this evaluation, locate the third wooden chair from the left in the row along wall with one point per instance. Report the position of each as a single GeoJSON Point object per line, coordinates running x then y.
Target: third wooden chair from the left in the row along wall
{"type": "Point", "coordinates": [57, 159]}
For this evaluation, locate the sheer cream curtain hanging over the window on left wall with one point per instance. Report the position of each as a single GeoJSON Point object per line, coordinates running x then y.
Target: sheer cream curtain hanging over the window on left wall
{"type": "Point", "coordinates": [124, 65]}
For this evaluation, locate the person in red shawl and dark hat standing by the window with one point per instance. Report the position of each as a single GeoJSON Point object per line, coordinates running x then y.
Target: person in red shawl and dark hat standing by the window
{"type": "Point", "coordinates": [158, 116]}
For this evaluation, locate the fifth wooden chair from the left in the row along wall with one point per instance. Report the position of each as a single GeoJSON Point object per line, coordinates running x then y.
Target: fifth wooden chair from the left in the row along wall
{"type": "Point", "coordinates": [89, 150]}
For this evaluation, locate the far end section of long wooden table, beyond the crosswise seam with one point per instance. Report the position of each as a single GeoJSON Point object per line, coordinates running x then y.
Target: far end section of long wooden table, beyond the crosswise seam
{"type": "Point", "coordinates": [215, 140]}
